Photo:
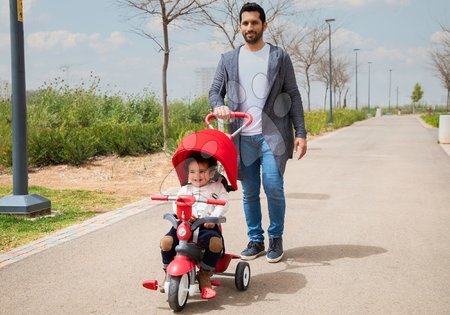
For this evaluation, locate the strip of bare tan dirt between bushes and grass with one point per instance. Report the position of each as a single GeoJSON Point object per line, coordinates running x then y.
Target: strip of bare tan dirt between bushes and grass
{"type": "Point", "coordinates": [131, 177]}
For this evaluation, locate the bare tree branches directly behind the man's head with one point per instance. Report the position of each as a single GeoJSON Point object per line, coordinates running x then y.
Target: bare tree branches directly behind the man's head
{"type": "Point", "coordinates": [224, 16]}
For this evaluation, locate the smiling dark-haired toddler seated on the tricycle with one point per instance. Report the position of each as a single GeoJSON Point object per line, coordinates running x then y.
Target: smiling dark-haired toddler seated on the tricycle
{"type": "Point", "coordinates": [201, 171]}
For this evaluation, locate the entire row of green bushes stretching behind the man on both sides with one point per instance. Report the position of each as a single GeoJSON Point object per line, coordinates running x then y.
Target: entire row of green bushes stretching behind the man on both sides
{"type": "Point", "coordinates": [71, 125]}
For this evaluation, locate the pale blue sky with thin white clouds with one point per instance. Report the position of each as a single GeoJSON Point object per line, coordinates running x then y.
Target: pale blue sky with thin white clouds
{"type": "Point", "coordinates": [78, 40]}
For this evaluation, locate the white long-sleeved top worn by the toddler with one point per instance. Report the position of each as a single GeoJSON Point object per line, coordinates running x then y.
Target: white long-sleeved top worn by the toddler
{"type": "Point", "coordinates": [214, 190]}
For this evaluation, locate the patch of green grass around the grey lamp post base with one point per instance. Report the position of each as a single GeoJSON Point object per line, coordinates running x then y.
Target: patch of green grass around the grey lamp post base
{"type": "Point", "coordinates": [72, 206]}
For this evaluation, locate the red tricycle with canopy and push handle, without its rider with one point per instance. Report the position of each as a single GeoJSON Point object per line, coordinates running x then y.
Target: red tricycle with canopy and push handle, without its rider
{"type": "Point", "coordinates": [182, 280]}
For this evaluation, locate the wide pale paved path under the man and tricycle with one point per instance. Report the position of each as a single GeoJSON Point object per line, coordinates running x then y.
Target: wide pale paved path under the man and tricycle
{"type": "Point", "coordinates": [366, 233]}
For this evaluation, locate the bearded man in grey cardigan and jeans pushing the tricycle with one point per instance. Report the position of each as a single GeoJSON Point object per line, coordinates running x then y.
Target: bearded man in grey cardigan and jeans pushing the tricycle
{"type": "Point", "coordinates": [259, 78]}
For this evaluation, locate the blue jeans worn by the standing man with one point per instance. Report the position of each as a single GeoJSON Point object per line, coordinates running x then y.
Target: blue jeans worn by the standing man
{"type": "Point", "coordinates": [256, 156]}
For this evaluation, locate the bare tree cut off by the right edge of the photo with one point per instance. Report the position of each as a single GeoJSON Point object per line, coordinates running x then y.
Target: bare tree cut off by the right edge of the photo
{"type": "Point", "coordinates": [440, 57]}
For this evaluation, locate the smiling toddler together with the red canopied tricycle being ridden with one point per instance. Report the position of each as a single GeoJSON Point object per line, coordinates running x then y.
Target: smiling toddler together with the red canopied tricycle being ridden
{"type": "Point", "coordinates": [195, 240]}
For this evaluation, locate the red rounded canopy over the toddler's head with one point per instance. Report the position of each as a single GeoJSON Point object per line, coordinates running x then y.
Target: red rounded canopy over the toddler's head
{"type": "Point", "coordinates": [212, 142]}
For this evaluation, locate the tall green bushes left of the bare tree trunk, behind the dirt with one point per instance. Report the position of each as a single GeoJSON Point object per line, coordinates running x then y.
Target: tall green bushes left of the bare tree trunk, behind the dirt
{"type": "Point", "coordinates": [71, 125]}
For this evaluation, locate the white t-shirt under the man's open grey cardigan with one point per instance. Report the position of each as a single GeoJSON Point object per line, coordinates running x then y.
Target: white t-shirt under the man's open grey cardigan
{"type": "Point", "coordinates": [254, 85]}
